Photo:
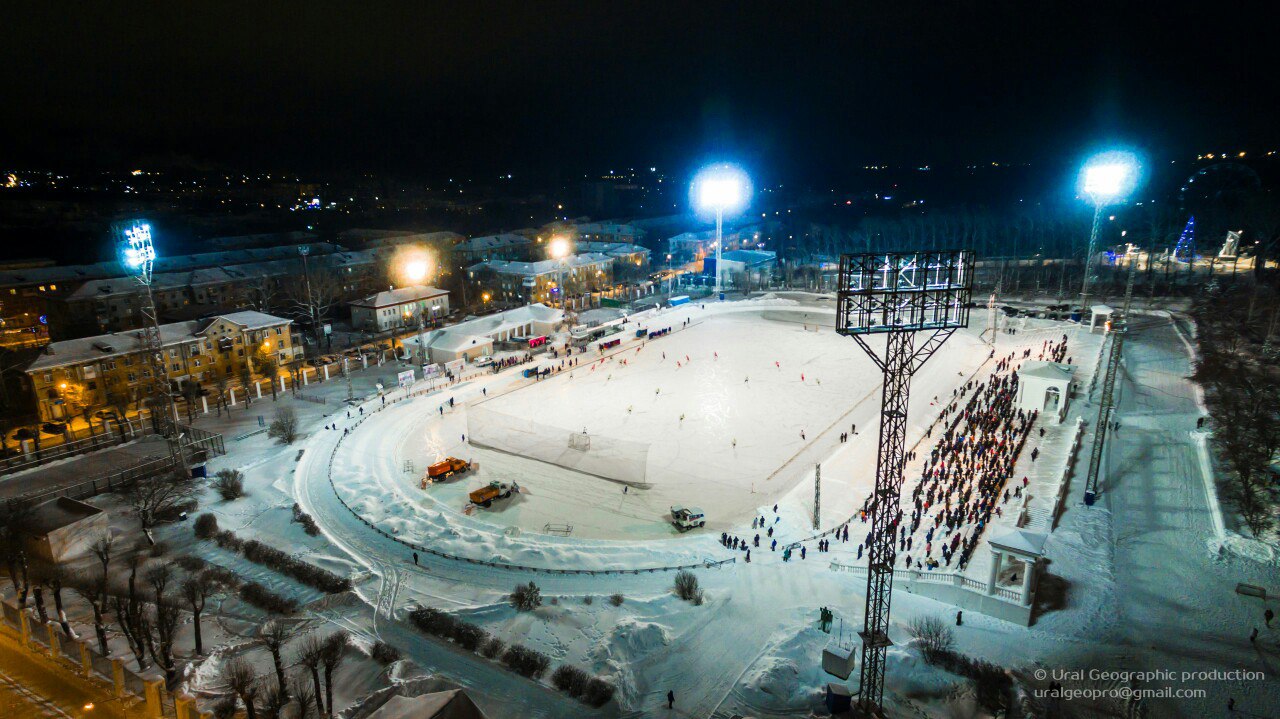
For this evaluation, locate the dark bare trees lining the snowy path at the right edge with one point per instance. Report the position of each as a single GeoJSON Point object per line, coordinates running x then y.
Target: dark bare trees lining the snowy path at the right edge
{"type": "Point", "coordinates": [1240, 341]}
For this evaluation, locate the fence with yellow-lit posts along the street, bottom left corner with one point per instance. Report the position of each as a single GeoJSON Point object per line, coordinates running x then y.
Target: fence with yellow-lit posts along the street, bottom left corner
{"type": "Point", "coordinates": [83, 657]}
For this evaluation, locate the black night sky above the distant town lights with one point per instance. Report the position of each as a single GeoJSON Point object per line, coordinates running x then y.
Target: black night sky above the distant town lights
{"type": "Point", "coordinates": [802, 89]}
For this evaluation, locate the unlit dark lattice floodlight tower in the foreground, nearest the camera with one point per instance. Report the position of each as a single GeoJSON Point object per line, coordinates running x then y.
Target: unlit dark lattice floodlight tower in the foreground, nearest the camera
{"type": "Point", "coordinates": [898, 295]}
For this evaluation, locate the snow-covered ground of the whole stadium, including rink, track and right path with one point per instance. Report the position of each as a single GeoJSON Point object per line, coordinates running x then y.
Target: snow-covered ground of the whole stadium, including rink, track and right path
{"type": "Point", "coordinates": [1132, 583]}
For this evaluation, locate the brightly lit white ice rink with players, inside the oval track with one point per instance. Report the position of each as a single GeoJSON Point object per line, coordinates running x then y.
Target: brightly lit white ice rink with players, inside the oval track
{"type": "Point", "coordinates": [748, 378]}
